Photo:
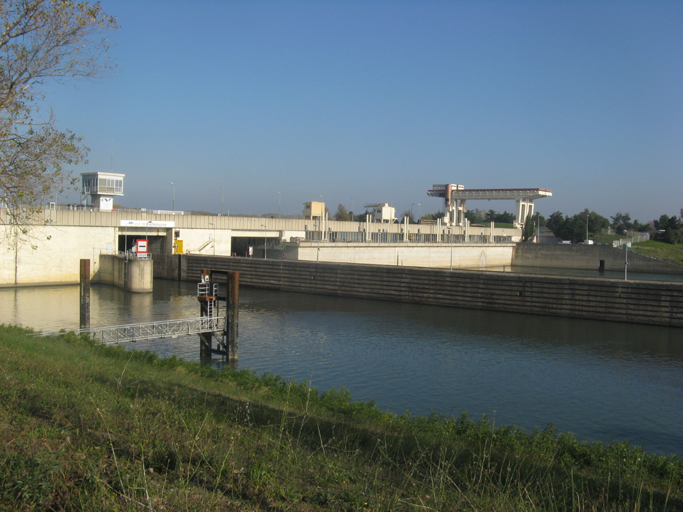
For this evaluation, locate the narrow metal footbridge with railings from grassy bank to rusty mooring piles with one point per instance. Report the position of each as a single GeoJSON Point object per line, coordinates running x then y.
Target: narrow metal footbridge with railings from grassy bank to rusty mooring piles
{"type": "Point", "coordinates": [150, 330]}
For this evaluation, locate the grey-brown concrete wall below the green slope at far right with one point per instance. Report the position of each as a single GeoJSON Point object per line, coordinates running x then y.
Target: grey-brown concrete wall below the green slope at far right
{"type": "Point", "coordinates": [587, 257]}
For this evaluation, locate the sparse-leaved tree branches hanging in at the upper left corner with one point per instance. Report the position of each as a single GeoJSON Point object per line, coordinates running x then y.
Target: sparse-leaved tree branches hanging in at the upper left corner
{"type": "Point", "coordinates": [42, 41]}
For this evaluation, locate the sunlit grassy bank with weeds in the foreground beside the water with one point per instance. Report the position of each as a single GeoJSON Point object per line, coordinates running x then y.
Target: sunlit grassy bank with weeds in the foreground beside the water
{"type": "Point", "coordinates": [87, 427]}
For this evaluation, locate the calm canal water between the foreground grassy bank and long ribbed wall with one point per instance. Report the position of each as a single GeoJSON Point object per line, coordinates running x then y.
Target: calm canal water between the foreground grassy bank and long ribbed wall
{"type": "Point", "coordinates": [600, 380]}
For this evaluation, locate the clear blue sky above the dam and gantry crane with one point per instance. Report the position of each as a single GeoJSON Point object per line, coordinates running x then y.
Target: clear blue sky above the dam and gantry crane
{"type": "Point", "coordinates": [375, 101]}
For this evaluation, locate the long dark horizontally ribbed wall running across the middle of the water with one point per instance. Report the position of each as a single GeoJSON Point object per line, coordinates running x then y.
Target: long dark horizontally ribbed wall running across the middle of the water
{"type": "Point", "coordinates": [645, 302]}
